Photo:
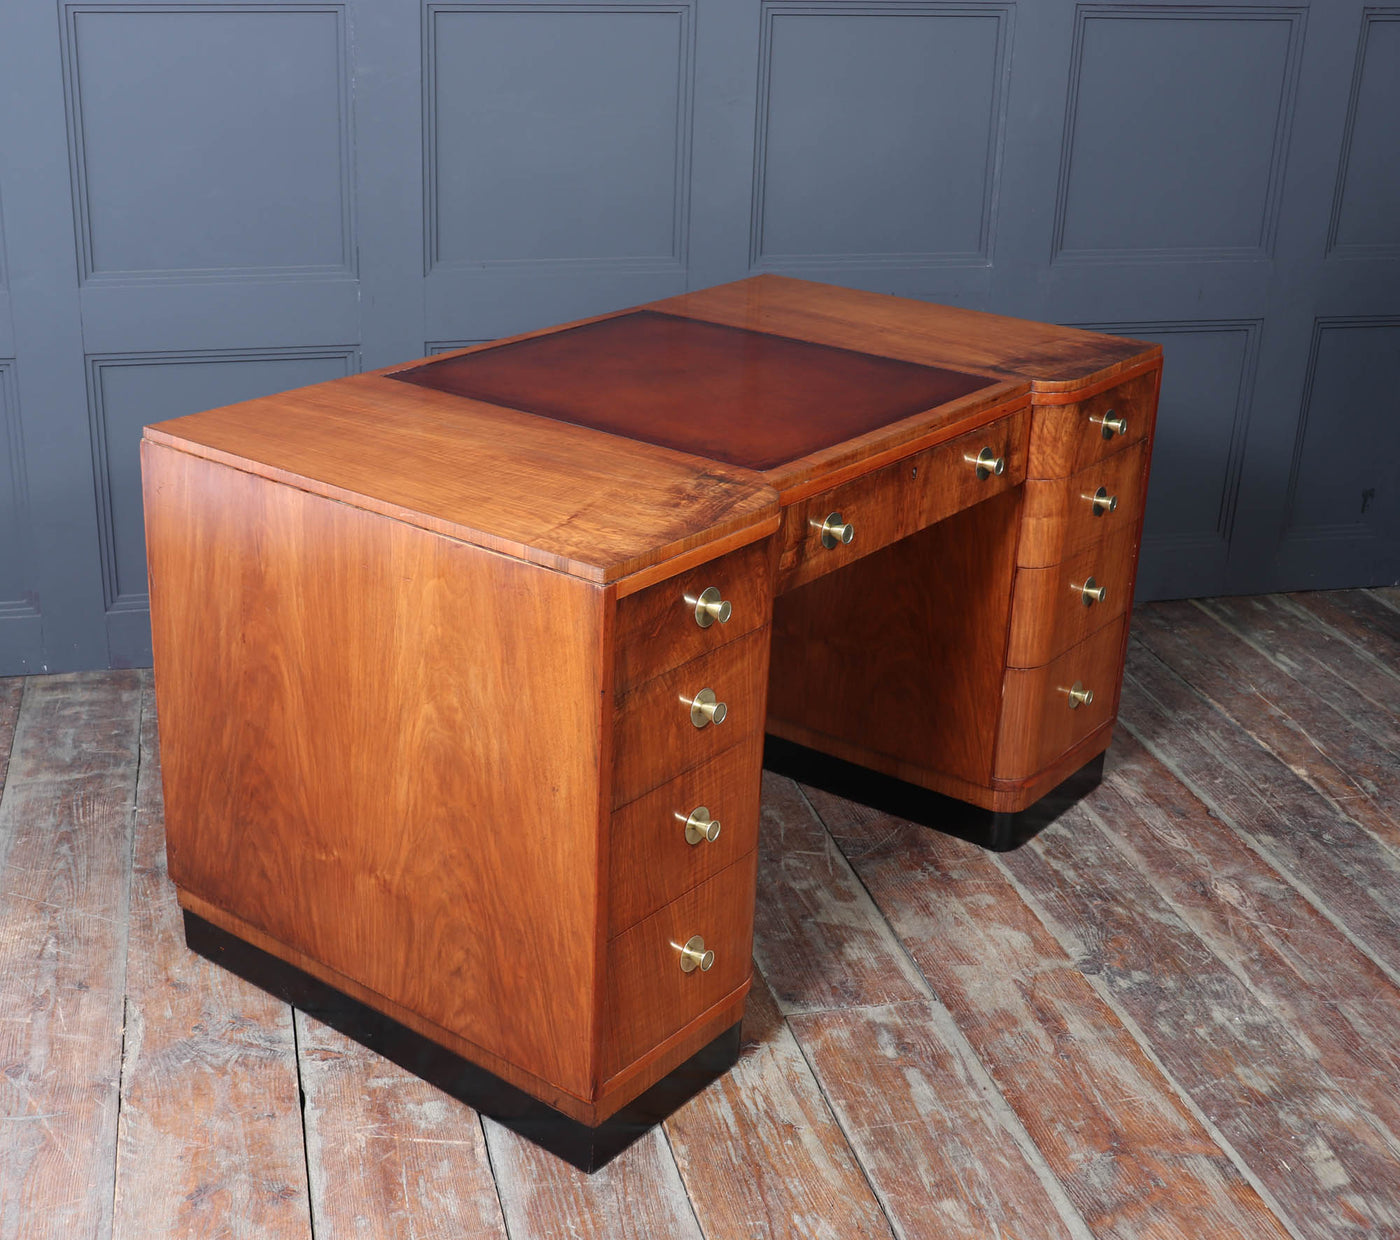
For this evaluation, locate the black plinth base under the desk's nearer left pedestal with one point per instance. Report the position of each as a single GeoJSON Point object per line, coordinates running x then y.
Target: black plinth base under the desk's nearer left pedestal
{"type": "Point", "coordinates": [586, 1148]}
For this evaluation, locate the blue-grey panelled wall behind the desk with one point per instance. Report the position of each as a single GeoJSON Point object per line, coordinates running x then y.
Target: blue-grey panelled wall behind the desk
{"type": "Point", "coordinates": [206, 201]}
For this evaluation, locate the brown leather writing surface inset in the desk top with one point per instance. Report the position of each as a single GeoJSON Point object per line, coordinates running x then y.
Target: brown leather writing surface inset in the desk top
{"type": "Point", "coordinates": [727, 394]}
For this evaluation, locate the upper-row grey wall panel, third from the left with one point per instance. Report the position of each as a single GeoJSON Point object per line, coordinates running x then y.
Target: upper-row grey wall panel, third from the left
{"type": "Point", "coordinates": [880, 134]}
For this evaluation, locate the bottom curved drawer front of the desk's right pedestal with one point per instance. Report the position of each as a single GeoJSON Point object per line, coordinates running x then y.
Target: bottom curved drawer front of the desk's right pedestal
{"type": "Point", "coordinates": [1039, 720]}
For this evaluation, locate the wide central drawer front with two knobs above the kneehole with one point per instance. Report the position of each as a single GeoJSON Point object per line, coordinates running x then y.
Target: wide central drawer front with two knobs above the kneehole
{"type": "Point", "coordinates": [899, 500]}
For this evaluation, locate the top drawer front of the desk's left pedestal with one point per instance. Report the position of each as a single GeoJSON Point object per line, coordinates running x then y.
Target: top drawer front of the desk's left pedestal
{"type": "Point", "coordinates": [661, 626]}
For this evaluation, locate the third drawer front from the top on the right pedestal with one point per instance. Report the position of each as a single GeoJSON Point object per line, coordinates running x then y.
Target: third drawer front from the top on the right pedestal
{"type": "Point", "coordinates": [1059, 607]}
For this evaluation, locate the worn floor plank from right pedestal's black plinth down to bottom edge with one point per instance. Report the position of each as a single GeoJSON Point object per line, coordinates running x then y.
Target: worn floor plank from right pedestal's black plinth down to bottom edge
{"type": "Point", "coordinates": [1129, 1153]}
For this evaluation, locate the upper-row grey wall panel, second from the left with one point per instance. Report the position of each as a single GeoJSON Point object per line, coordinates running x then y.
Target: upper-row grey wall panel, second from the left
{"type": "Point", "coordinates": [556, 134]}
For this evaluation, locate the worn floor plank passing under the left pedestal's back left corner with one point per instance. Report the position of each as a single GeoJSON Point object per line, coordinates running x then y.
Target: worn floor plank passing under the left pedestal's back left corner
{"type": "Point", "coordinates": [211, 1125]}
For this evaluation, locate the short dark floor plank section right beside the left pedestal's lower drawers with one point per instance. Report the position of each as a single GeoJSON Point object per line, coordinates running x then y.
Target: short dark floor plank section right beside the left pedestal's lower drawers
{"type": "Point", "coordinates": [817, 936]}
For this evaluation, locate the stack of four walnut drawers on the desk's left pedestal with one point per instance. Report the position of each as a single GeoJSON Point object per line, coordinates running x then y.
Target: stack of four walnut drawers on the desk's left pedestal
{"type": "Point", "coordinates": [691, 682]}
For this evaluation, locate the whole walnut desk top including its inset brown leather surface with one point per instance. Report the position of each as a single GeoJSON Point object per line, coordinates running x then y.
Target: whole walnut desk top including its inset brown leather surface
{"type": "Point", "coordinates": [575, 489]}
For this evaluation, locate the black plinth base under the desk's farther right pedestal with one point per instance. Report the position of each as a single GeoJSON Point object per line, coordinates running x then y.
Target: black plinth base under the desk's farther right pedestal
{"type": "Point", "coordinates": [999, 832]}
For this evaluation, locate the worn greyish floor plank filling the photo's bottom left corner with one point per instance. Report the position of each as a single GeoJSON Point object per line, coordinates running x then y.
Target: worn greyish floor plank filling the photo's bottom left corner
{"type": "Point", "coordinates": [65, 836]}
